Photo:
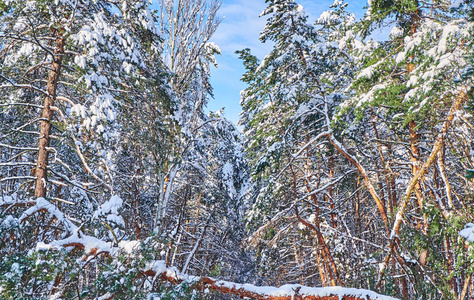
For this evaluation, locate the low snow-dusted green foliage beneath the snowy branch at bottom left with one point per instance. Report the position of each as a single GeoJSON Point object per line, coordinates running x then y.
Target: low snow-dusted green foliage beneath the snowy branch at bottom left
{"type": "Point", "coordinates": [40, 274]}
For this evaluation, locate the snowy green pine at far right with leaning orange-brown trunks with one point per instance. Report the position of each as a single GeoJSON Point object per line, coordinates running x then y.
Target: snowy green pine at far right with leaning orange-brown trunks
{"type": "Point", "coordinates": [408, 99]}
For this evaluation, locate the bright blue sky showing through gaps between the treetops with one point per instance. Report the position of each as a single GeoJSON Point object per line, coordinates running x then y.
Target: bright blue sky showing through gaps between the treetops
{"type": "Point", "coordinates": [240, 28]}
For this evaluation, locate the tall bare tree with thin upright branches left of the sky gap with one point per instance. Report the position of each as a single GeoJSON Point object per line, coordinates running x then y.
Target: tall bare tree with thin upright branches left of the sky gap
{"type": "Point", "coordinates": [186, 27]}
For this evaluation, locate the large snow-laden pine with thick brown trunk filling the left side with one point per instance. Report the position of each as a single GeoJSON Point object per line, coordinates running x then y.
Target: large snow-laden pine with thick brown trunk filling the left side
{"type": "Point", "coordinates": [69, 72]}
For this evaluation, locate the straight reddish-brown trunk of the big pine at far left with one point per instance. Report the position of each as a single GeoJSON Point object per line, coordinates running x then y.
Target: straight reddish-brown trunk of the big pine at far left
{"type": "Point", "coordinates": [47, 115]}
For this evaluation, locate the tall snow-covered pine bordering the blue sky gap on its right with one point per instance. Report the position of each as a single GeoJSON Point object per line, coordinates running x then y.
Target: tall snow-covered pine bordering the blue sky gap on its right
{"type": "Point", "coordinates": [297, 171]}
